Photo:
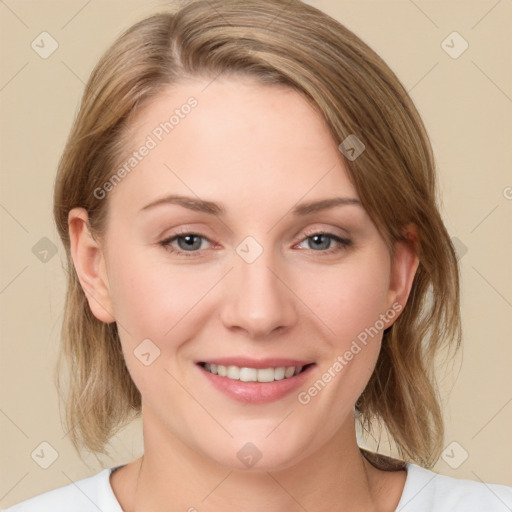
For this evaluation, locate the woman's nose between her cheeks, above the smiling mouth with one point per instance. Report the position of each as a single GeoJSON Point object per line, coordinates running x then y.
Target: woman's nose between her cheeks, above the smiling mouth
{"type": "Point", "coordinates": [257, 298]}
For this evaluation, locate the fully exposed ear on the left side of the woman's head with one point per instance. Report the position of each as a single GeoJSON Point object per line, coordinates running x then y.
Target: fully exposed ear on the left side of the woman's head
{"type": "Point", "coordinates": [90, 265]}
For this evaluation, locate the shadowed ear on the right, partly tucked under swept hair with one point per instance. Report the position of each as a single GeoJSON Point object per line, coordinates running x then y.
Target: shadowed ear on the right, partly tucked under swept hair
{"type": "Point", "coordinates": [403, 269]}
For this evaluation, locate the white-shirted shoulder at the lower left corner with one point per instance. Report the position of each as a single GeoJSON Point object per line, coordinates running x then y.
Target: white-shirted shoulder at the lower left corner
{"type": "Point", "coordinates": [87, 495]}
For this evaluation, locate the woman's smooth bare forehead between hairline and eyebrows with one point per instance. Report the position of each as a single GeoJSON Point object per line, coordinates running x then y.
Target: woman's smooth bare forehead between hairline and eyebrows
{"type": "Point", "coordinates": [232, 139]}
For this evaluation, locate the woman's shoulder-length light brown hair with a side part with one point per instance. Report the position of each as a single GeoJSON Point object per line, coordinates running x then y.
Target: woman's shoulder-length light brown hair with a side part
{"type": "Point", "coordinates": [287, 44]}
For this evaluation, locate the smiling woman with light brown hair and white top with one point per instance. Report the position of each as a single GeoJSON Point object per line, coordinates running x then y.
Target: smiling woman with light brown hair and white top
{"type": "Point", "coordinates": [256, 263]}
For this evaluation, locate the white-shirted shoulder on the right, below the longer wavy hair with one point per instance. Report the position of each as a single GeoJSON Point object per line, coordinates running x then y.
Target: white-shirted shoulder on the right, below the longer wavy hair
{"type": "Point", "coordinates": [425, 491]}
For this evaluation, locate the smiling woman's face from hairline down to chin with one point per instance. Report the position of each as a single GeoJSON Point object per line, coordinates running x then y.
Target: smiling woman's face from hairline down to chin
{"type": "Point", "coordinates": [260, 278]}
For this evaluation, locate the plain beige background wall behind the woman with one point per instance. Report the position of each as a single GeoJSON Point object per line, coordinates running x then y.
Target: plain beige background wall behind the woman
{"type": "Point", "coordinates": [466, 104]}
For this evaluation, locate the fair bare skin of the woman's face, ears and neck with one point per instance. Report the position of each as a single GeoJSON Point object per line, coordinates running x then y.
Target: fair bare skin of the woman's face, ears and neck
{"type": "Point", "coordinates": [258, 150]}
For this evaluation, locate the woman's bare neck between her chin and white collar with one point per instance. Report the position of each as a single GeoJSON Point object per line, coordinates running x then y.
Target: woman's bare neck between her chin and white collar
{"type": "Point", "coordinates": [173, 477]}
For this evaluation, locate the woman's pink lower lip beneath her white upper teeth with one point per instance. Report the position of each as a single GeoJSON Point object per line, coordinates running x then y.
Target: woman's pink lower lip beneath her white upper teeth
{"type": "Point", "coordinates": [257, 392]}
